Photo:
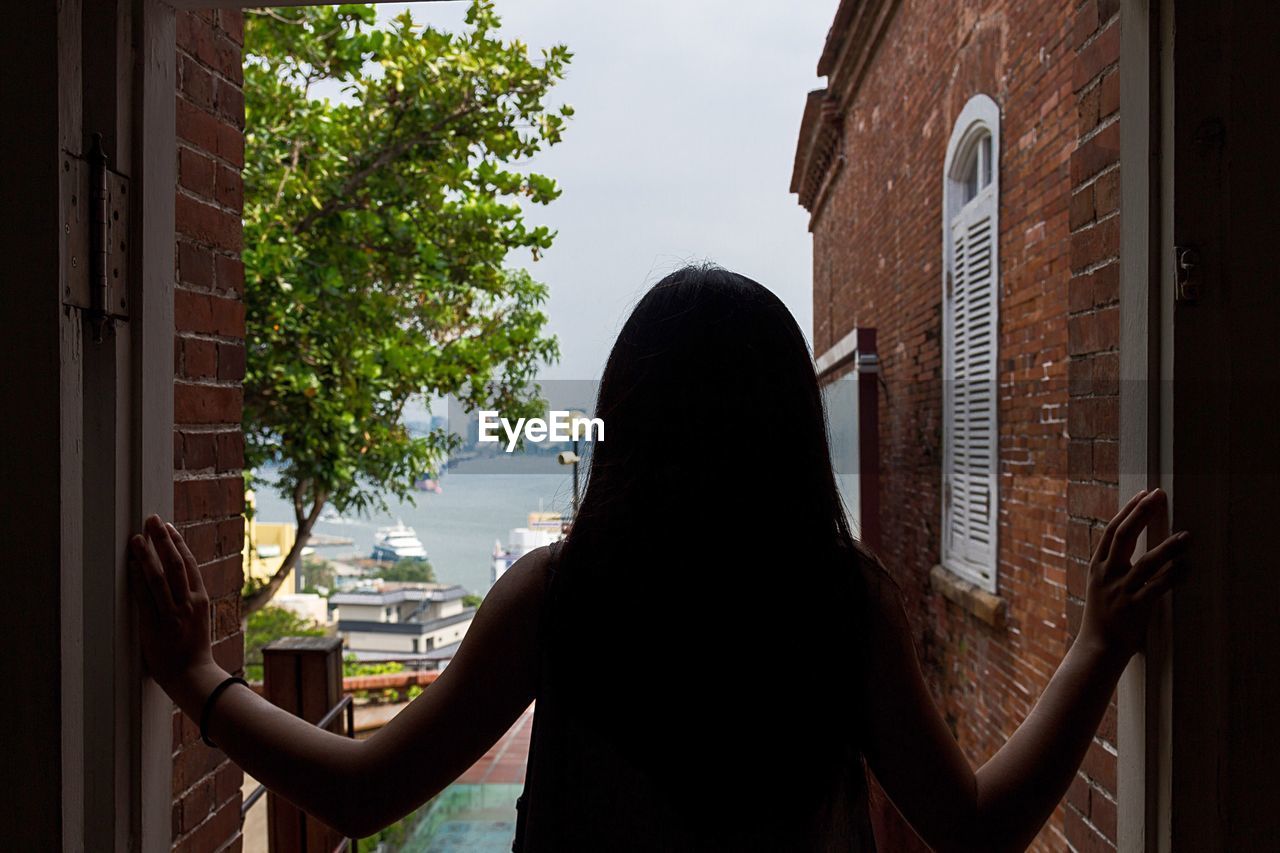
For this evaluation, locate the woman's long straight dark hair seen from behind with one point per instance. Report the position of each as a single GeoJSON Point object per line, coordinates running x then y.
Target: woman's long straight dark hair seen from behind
{"type": "Point", "coordinates": [710, 603]}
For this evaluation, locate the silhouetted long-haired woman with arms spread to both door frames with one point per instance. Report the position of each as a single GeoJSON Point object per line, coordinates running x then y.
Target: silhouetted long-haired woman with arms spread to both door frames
{"type": "Point", "coordinates": [716, 660]}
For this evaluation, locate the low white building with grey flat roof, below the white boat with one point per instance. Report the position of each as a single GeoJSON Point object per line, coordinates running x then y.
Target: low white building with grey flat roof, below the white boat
{"type": "Point", "coordinates": [410, 623]}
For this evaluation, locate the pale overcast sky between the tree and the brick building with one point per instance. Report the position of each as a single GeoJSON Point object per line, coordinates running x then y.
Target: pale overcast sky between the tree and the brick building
{"type": "Point", "coordinates": [680, 150]}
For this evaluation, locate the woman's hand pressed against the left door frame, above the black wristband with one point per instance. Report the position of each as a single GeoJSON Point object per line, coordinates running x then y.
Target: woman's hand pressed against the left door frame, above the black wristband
{"type": "Point", "coordinates": [173, 606]}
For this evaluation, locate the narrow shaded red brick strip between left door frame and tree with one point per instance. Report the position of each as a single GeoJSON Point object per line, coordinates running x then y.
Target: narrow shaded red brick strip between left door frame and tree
{"type": "Point", "coordinates": [209, 354]}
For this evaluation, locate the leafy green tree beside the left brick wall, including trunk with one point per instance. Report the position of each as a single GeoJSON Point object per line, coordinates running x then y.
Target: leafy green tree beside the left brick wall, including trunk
{"type": "Point", "coordinates": [377, 236]}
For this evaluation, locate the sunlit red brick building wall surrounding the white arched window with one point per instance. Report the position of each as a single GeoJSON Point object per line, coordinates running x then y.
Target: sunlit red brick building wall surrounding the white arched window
{"type": "Point", "coordinates": [877, 263]}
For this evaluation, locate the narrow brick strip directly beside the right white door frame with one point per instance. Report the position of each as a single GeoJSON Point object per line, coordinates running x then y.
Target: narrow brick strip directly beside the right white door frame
{"type": "Point", "coordinates": [1094, 340]}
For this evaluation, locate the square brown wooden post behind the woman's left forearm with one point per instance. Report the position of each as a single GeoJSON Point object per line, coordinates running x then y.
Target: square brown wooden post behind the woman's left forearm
{"type": "Point", "coordinates": [304, 677]}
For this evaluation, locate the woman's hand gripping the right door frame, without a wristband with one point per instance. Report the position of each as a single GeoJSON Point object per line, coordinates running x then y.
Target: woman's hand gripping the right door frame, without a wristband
{"type": "Point", "coordinates": [1121, 592]}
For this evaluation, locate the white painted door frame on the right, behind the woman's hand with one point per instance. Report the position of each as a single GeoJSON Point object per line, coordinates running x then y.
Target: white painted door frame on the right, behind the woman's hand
{"type": "Point", "coordinates": [1146, 425]}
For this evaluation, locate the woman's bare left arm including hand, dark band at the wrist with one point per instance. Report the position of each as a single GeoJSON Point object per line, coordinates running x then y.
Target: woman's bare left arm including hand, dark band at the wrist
{"type": "Point", "coordinates": [358, 787]}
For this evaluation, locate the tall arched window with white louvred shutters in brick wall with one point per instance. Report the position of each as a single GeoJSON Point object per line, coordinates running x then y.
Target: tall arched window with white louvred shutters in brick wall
{"type": "Point", "coordinates": [971, 289]}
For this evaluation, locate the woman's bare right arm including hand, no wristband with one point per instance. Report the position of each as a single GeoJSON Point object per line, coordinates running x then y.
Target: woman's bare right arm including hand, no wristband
{"type": "Point", "coordinates": [1005, 804]}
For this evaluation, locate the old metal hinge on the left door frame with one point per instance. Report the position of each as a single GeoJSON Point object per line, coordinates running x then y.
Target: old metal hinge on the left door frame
{"type": "Point", "coordinates": [95, 238]}
